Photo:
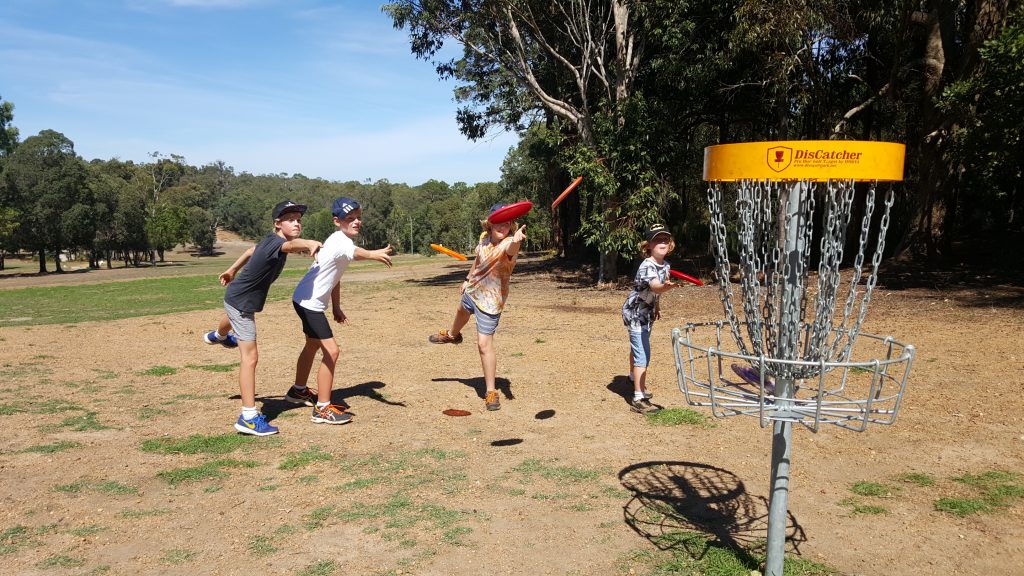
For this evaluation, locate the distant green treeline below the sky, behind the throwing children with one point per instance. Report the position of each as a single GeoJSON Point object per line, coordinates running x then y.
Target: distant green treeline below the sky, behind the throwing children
{"type": "Point", "coordinates": [54, 201]}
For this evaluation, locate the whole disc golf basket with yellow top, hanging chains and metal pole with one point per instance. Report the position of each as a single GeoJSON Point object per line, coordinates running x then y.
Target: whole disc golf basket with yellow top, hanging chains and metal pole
{"type": "Point", "coordinates": [790, 349]}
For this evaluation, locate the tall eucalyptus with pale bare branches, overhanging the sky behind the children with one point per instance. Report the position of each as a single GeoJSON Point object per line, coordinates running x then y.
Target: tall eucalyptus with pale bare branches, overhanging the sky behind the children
{"type": "Point", "coordinates": [572, 62]}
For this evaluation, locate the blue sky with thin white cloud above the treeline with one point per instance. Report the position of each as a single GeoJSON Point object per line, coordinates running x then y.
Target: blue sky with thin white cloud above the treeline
{"type": "Point", "coordinates": [326, 90]}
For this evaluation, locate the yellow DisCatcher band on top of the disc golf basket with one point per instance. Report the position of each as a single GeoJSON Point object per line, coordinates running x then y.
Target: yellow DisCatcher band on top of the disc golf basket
{"type": "Point", "coordinates": [805, 160]}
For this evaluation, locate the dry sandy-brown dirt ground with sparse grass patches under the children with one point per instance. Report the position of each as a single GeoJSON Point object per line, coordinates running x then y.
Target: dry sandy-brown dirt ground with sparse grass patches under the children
{"type": "Point", "coordinates": [564, 480]}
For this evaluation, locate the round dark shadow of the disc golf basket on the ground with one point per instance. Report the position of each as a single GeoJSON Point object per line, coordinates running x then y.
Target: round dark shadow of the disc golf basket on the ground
{"type": "Point", "coordinates": [673, 500]}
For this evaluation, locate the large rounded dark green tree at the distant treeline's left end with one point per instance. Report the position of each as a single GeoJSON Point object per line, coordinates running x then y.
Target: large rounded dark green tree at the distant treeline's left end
{"type": "Point", "coordinates": [45, 181]}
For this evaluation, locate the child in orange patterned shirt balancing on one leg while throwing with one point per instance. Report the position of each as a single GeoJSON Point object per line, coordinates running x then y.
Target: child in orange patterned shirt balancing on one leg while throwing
{"type": "Point", "coordinates": [484, 296]}
